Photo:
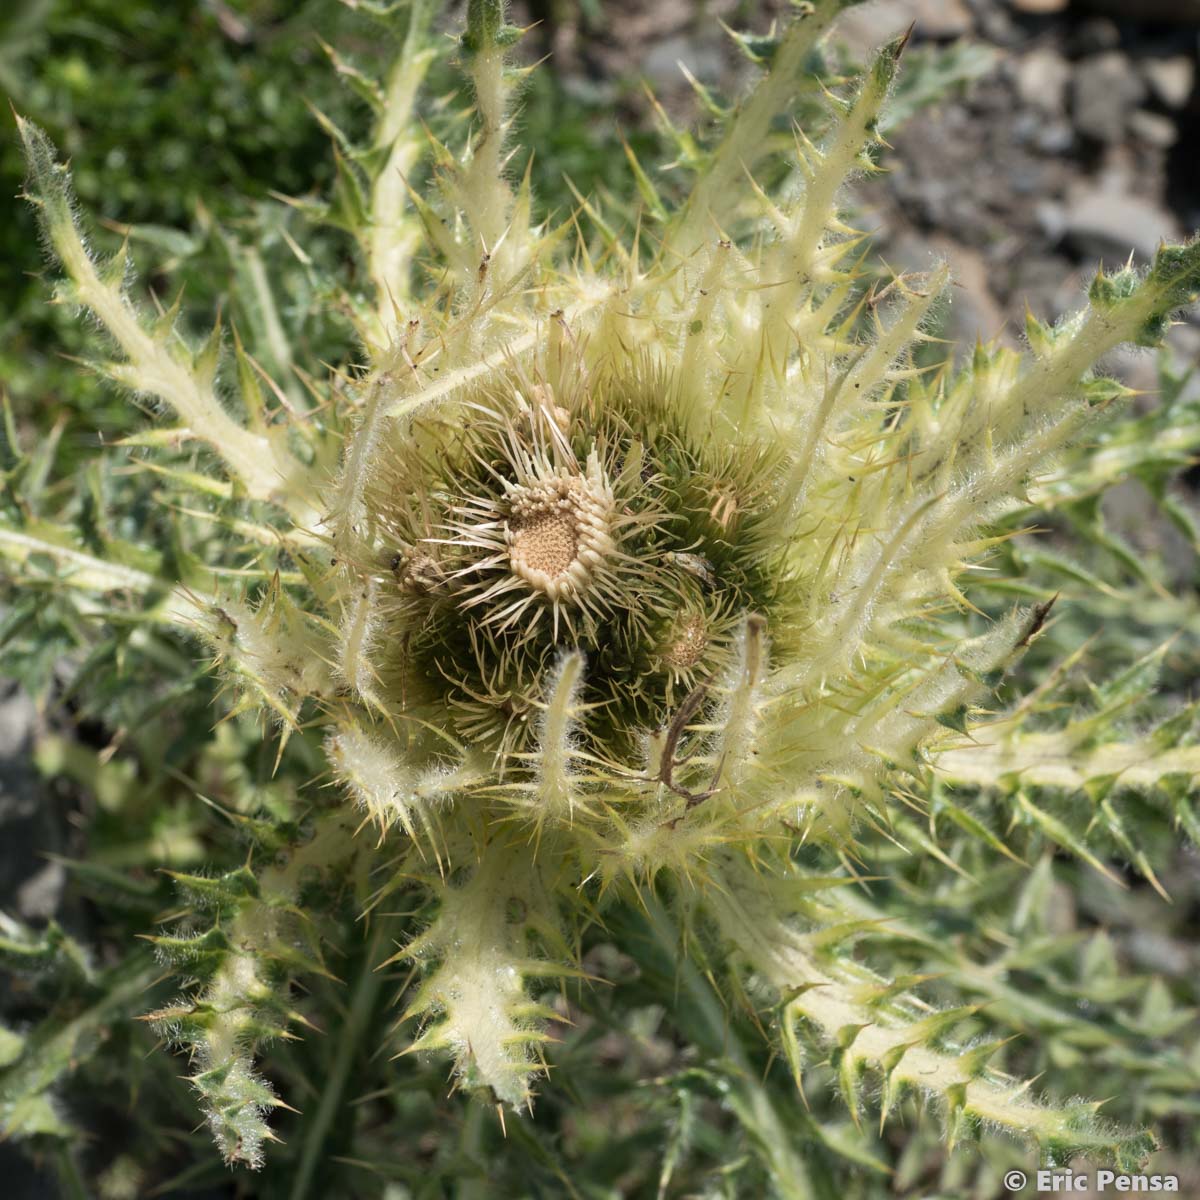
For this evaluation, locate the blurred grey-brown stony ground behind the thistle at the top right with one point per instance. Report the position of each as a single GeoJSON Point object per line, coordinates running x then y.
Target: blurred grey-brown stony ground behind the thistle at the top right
{"type": "Point", "coordinates": [1078, 146]}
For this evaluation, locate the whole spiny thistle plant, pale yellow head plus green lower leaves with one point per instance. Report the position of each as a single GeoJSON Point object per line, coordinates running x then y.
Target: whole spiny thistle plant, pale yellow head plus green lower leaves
{"type": "Point", "coordinates": [651, 579]}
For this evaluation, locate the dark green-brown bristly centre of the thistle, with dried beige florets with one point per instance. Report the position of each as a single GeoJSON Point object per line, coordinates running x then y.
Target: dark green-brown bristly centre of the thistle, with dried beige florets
{"type": "Point", "coordinates": [584, 519]}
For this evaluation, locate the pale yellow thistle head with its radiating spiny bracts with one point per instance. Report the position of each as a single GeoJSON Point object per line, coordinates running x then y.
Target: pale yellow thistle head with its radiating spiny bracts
{"type": "Point", "coordinates": [649, 563]}
